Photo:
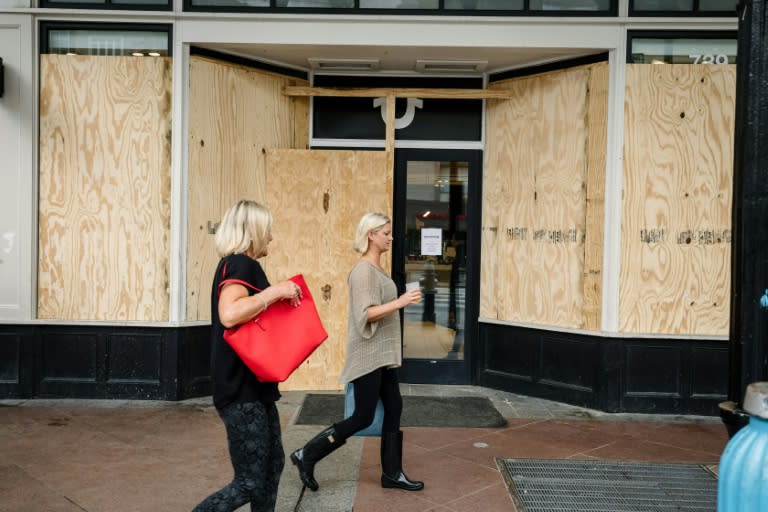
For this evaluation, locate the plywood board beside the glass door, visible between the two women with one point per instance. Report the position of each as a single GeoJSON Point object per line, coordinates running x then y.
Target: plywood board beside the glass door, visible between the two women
{"type": "Point", "coordinates": [317, 198]}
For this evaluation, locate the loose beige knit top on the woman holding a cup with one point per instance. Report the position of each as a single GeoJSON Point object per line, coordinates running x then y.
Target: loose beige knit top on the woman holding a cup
{"type": "Point", "coordinates": [370, 345]}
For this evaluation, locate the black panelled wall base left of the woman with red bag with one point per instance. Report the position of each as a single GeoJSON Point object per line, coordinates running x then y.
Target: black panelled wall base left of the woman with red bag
{"type": "Point", "coordinates": [141, 363]}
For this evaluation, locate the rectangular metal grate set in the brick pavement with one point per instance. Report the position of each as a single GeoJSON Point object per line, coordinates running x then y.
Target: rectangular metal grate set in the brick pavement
{"type": "Point", "coordinates": [537, 485]}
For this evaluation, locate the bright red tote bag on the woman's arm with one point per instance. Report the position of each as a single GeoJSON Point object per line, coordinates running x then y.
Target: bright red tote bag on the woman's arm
{"type": "Point", "coordinates": [276, 341]}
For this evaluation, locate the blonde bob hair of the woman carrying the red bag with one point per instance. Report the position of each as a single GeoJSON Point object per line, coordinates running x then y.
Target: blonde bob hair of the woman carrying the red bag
{"type": "Point", "coordinates": [244, 223]}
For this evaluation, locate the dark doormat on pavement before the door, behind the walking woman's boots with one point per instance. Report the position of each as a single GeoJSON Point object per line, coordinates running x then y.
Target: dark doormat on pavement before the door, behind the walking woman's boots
{"type": "Point", "coordinates": [418, 411]}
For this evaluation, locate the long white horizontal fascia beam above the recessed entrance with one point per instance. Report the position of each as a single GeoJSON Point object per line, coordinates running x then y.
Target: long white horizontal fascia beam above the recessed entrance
{"type": "Point", "coordinates": [483, 32]}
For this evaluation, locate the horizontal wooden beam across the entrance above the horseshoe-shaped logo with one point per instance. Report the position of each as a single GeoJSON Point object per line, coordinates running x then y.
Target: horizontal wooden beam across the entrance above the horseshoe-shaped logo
{"type": "Point", "coordinates": [375, 92]}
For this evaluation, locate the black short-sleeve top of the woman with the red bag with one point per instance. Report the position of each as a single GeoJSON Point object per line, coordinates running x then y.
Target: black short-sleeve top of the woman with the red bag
{"type": "Point", "coordinates": [233, 382]}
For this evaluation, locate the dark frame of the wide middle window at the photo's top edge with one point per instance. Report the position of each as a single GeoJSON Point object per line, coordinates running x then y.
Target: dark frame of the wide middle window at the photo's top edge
{"type": "Point", "coordinates": [612, 11]}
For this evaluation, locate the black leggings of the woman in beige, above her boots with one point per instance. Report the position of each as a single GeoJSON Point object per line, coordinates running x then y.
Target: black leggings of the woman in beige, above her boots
{"type": "Point", "coordinates": [383, 384]}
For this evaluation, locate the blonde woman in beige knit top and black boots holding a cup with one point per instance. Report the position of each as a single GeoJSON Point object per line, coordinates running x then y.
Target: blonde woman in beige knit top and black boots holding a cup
{"type": "Point", "coordinates": [374, 353]}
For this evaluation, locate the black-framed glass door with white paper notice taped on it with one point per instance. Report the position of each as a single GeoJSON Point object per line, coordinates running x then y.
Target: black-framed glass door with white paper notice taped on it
{"type": "Point", "coordinates": [437, 222]}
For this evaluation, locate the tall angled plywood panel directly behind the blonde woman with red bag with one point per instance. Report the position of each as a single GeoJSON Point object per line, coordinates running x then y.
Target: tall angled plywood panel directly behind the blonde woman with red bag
{"type": "Point", "coordinates": [235, 112]}
